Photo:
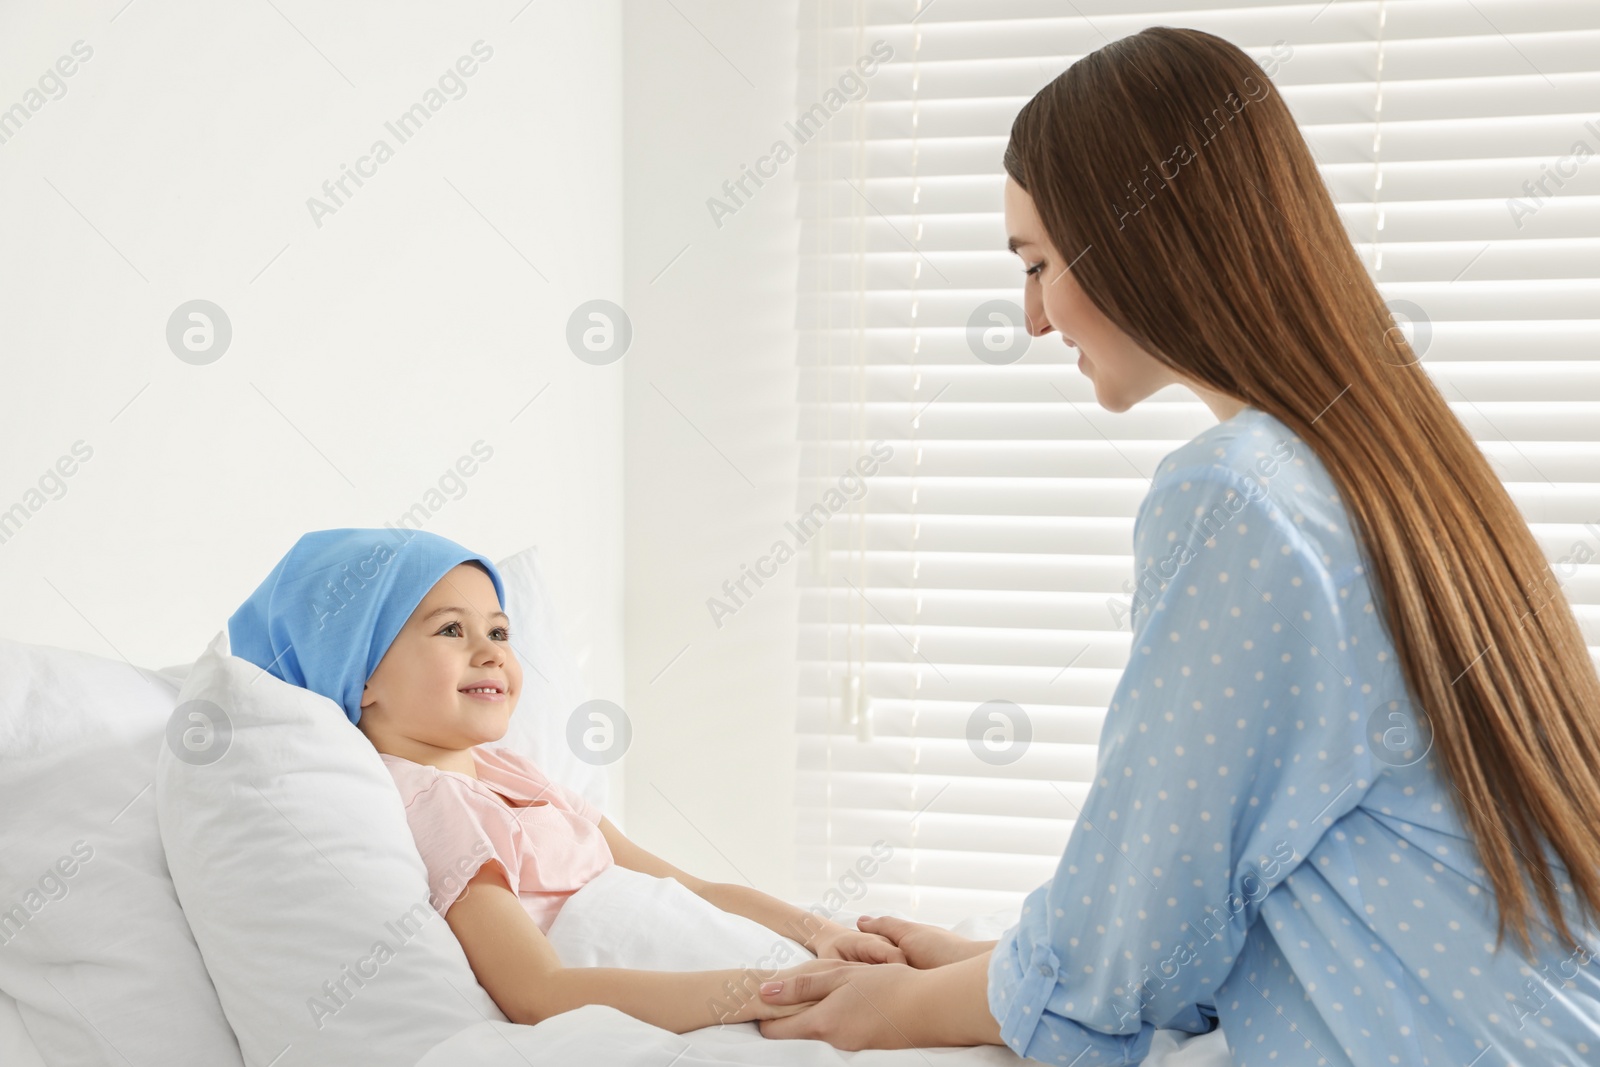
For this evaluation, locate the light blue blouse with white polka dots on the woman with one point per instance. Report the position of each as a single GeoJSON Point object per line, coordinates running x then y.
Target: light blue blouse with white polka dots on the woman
{"type": "Point", "coordinates": [1271, 841]}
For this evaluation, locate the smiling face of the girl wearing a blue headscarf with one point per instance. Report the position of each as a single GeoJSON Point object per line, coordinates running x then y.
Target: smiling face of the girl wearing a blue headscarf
{"type": "Point", "coordinates": [457, 639]}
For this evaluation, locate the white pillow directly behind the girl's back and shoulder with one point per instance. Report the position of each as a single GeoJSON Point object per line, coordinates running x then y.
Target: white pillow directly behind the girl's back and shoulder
{"type": "Point", "coordinates": [292, 855]}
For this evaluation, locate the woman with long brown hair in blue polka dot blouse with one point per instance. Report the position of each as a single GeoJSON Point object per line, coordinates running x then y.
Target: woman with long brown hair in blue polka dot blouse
{"type": "Point", "coordinates": [1359, 733]}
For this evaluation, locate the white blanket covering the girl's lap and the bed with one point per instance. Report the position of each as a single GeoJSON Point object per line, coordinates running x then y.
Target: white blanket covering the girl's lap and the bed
{"type": "Point", "coordinates": [626, 919]}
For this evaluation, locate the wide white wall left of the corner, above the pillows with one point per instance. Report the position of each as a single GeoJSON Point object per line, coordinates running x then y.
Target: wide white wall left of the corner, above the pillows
{"type": "Point", "coordinates": [369, 353]}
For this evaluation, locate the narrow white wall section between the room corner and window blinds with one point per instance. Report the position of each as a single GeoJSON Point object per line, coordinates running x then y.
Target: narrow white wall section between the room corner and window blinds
{"type": "Point", "coordinates": [711, 438]}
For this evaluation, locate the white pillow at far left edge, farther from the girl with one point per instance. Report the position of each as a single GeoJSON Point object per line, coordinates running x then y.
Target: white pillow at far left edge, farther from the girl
{"type": "Point", "coordinates": [94, 945]}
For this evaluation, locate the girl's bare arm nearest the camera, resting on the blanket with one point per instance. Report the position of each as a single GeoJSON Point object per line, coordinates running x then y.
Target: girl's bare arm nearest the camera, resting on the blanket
{"type": "Point", "coordinates": [521, 972]}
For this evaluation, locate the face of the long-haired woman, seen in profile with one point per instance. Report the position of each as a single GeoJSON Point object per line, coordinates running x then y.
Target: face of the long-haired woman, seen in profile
{"type": "Point", "coordinates": [1122, 372]}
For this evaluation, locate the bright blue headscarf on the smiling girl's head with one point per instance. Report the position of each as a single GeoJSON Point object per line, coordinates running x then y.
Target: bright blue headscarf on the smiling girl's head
{"type": "Point", "coordinates": [335, 604]}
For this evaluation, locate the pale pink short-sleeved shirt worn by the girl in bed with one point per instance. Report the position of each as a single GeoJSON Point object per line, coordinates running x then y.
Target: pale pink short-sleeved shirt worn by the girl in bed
{"type": "Point", "coordinates": [545, 837]}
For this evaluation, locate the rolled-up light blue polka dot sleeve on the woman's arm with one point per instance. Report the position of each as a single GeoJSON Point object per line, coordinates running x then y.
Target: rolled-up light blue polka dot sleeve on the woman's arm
{"type": "Point", "coordinates": [1233, 741]}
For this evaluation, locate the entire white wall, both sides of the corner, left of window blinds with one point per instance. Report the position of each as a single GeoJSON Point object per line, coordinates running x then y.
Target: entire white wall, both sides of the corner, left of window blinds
{"type": "Point", "coordinates": [369, 354]}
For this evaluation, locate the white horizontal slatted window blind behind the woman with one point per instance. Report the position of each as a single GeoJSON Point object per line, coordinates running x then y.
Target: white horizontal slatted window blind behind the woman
{"type": "Point", "coordinates": [980, 565]}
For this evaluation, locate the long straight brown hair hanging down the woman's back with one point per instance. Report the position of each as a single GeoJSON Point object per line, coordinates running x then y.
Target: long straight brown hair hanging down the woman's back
{"type": "Point", "coordinates": [1167, 169]}
